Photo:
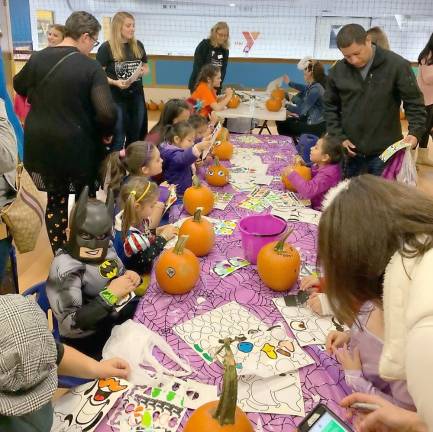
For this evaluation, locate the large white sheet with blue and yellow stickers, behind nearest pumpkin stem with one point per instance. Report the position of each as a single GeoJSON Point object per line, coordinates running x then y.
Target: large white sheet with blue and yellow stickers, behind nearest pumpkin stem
{"type": "Point", "coordinates": [259, 349]}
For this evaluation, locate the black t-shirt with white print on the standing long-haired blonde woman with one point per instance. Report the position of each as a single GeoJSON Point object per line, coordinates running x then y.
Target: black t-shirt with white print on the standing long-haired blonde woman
{"type": "Point", "coordinates": [121, 70]}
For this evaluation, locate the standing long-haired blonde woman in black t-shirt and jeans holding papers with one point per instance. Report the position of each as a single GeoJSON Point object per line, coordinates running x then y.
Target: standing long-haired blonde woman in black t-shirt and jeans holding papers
{"type": "Point", "coordinates": [120, 57]}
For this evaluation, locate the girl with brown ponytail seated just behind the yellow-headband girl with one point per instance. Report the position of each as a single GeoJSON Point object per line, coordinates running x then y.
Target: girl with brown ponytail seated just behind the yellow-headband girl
{"type": "Point", "coordinates": [140, 158]}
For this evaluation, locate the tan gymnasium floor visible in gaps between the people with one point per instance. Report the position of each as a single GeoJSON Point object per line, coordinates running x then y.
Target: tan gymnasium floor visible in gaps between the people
{"type": "Point", "coordinates": [33, 267]}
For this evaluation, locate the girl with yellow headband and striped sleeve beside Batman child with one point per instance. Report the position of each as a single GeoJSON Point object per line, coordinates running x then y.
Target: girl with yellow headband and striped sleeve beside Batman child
{"type": "Point", "coordinates": [136, 244]}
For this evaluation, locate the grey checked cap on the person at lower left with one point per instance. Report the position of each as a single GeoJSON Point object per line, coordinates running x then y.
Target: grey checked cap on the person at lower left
{"type": "Point", "coordinates": [28, 371]}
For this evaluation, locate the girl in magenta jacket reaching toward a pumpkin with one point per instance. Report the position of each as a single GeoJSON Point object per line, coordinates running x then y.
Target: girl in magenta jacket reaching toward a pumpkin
{"type": "Point", "coordinates": [326, 156]}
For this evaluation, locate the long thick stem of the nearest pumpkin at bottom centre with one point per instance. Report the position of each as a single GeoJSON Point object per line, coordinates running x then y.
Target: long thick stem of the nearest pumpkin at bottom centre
{"type": "Point", "coordinates": [226, 410]}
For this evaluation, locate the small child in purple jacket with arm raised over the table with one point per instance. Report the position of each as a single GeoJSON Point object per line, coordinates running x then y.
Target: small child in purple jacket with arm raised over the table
{"type": "Point", "coordinates": [178, 153]}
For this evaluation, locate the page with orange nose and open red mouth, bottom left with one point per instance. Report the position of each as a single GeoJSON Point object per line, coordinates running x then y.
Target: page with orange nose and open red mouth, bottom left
{"type": "Point", "coordinates": [85, 406]}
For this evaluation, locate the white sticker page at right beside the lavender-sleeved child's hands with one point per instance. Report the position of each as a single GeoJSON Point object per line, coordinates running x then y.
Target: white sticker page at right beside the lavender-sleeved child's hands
{"type": "Point", "coordinates": [308, 327]}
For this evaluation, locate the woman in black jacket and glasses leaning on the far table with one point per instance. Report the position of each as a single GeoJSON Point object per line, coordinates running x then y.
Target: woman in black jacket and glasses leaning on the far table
{"type": "Point", "coordinates": [214, 50]}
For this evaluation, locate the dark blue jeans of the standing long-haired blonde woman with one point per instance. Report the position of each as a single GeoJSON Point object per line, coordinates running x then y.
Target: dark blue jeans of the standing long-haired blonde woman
{"type": "Point", "coordinates": [131, 122]}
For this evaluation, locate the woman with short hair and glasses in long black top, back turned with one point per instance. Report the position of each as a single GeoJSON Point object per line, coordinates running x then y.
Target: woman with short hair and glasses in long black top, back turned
{"type": "Point", "coordinates": [72, 114]}
